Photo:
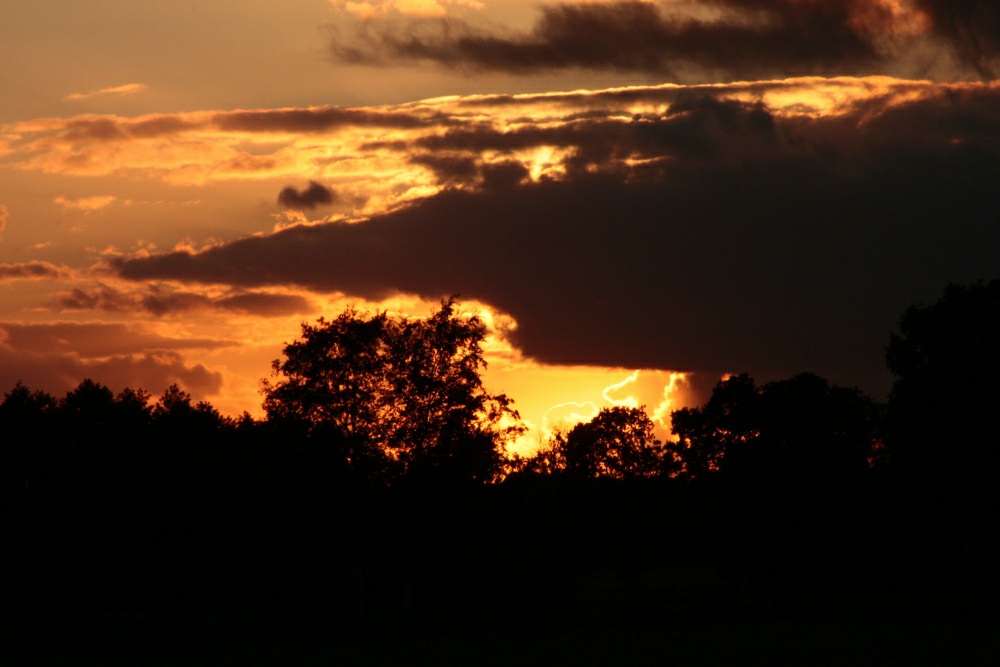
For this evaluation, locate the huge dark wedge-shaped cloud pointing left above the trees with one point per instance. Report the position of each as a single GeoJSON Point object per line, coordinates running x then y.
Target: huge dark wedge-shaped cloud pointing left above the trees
{"type": "Point", "coordinates": [717, 236]}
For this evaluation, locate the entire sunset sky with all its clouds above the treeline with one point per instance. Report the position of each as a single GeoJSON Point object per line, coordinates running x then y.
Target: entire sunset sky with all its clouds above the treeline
{"type": "Point", "coordinates": [638, 197]}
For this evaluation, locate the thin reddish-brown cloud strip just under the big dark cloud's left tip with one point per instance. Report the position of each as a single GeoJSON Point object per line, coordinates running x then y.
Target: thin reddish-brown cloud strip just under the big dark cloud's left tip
{"type": "Point", "coordinates": [161, 302]}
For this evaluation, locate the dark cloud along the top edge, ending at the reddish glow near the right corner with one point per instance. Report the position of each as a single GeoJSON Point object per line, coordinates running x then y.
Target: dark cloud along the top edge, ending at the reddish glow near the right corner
{"type": "Point", "coordinates": [751, 39]}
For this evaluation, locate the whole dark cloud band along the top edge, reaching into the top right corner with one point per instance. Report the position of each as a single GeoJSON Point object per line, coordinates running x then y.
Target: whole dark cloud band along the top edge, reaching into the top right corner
{"type": "Point", "coordinates": [741, 39]}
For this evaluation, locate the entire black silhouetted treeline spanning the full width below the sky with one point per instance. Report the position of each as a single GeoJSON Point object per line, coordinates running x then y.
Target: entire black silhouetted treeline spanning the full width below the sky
{"type": "Point", "coordinates": [378, 485]}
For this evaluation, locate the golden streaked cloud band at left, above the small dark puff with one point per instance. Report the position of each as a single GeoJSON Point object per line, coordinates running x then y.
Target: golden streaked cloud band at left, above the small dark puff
{"type": "Point", "coordinates": [198, 147]}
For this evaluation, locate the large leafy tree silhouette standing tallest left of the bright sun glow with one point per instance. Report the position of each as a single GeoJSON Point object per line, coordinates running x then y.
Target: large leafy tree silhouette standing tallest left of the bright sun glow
{"type": "Point", "coordinates": [402, 395]}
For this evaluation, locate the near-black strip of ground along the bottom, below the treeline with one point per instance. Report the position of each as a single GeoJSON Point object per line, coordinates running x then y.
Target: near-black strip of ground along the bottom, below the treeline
{"type": "Point", "coordinates": [701, 630]}
